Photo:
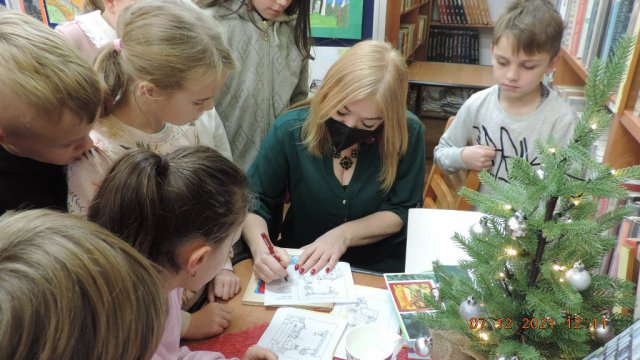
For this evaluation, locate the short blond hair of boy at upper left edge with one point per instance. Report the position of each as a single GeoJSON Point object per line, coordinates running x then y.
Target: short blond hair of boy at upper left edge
{"type": "Point", "coordinates": [45, 72]}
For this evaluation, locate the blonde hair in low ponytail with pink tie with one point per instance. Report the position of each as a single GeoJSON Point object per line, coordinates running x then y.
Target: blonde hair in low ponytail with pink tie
{"type": "Point", "coordinates": [164, 42]}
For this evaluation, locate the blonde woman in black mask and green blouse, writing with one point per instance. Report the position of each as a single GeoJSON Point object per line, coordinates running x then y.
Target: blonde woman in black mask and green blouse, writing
{"type": "Point", "coordinates": [352, 163]}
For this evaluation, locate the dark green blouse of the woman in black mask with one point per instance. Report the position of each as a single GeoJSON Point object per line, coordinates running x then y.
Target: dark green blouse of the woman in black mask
{"type": "Point", "coordinates": [318, 202]}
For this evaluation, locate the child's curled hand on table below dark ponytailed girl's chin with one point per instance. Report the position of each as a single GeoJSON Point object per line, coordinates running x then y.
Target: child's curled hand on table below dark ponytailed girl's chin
{"type": "Point", "coordinates": [209, 321]}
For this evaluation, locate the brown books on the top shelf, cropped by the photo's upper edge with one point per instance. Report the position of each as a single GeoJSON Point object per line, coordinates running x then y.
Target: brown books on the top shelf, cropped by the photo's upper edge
{"type": "Point", "coordinates": [470, 12]}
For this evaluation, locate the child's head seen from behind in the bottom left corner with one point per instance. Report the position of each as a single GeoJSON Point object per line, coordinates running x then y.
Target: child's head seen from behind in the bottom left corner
{"type": "Point", "coordinates": [69, 289]}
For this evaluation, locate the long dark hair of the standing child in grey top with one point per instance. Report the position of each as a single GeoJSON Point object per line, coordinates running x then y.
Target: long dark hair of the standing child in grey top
{"type": "Point", "coordinates": [300, 9]}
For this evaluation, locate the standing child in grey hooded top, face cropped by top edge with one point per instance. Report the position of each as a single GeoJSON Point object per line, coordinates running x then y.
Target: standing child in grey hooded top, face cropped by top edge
{"type": "Point", "coordinates": [270, 39]}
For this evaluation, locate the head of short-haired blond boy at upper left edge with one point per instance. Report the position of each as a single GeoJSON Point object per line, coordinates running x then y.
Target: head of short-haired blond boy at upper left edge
{"type": "Point", "coordinates": [49, 95]}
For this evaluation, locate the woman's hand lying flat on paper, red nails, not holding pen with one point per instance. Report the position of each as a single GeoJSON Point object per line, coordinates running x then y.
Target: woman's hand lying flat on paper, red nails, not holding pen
{"type": "Point", "coordinates": [325, 251]}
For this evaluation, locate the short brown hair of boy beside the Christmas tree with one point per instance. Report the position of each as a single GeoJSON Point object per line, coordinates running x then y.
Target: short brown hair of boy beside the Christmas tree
{"type": "Point", "coordinates": [534, 25]}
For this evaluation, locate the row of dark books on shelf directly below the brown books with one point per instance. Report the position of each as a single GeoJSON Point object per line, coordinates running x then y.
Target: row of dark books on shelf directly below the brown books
{"type": "Point", "coordinates": [454, 45]}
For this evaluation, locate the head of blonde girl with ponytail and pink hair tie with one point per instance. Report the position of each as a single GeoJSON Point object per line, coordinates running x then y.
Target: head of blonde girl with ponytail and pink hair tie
{"type": "Point", "coordinates": [170, 62]}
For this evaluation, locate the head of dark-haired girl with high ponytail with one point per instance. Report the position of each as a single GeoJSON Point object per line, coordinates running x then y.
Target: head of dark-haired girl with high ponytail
{"type": "Point", "coordinates": [182, 210]}
